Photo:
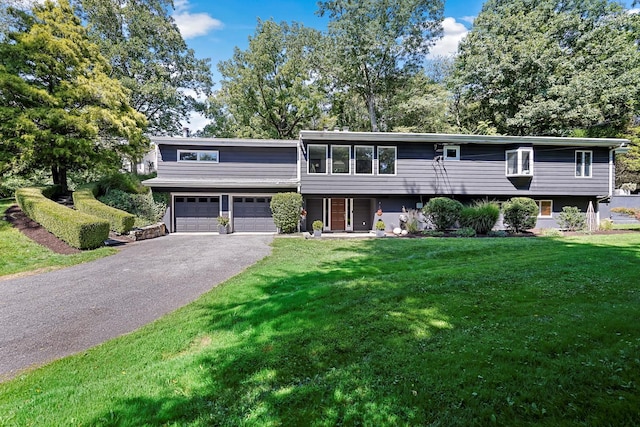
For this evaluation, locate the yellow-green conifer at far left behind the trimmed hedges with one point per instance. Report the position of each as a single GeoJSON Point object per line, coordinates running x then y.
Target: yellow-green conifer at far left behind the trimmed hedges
{"type": "Point", "coordinates": [59, 108]}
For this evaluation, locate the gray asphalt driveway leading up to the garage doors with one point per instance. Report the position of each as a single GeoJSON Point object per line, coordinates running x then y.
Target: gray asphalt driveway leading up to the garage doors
{"type": "Point", "coordinates": [48, 316]}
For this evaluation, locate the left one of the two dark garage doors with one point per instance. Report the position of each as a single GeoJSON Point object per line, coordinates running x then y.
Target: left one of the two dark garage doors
{"type": "Point", "coordinates": [197, 213]}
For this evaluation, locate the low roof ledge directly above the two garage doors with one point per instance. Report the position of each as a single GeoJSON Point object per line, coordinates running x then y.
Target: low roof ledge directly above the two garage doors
{"type": "Point", "coordinates": [220, 183]}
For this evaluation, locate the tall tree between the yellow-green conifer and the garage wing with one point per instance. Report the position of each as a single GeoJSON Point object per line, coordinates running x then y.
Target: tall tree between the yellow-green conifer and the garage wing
{"type": "Point", "coordinates": [149, 56]}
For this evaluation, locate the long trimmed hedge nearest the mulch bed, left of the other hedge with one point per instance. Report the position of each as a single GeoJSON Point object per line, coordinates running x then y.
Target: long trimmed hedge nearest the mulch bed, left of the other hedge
{"type": "Point", "coordinates": [78, 229]}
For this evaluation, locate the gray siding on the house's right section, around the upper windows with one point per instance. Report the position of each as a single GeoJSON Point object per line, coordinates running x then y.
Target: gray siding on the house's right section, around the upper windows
{"type": "Point", "coordinates": [479, 172]}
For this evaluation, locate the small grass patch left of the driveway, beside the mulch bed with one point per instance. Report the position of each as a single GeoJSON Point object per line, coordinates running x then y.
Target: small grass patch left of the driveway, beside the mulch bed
{"type": "Point", "coordinates": [21, 254]}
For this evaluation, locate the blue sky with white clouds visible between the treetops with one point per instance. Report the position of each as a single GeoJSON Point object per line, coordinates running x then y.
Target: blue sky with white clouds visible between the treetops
{"type": "Point", "coordinates": [212, 28]}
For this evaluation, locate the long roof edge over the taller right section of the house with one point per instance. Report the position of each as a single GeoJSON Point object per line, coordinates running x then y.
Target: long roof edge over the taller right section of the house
{"type": "Point", "coordinates": [437, 138]}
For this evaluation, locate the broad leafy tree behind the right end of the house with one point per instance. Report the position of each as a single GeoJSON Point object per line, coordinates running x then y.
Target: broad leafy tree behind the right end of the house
{"type": "Point", "coordinates": [549, 67]}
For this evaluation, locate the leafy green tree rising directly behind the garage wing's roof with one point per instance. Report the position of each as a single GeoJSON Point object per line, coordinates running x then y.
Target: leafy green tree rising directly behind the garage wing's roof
{"type": "Point", "coordinates": [271, 90]}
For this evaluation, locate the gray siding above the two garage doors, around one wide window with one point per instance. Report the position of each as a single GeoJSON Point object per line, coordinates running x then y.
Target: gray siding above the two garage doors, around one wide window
{"type": "Point", "coordinates": [234, 162]}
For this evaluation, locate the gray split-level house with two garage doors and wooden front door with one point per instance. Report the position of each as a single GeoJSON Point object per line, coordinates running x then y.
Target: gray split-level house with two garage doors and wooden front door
{"type": "Point", "coordinates": [347, 177]}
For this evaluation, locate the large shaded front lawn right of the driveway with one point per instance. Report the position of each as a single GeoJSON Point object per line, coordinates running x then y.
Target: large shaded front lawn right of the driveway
{"type": "Point", "coordinates": [528, 331]}
